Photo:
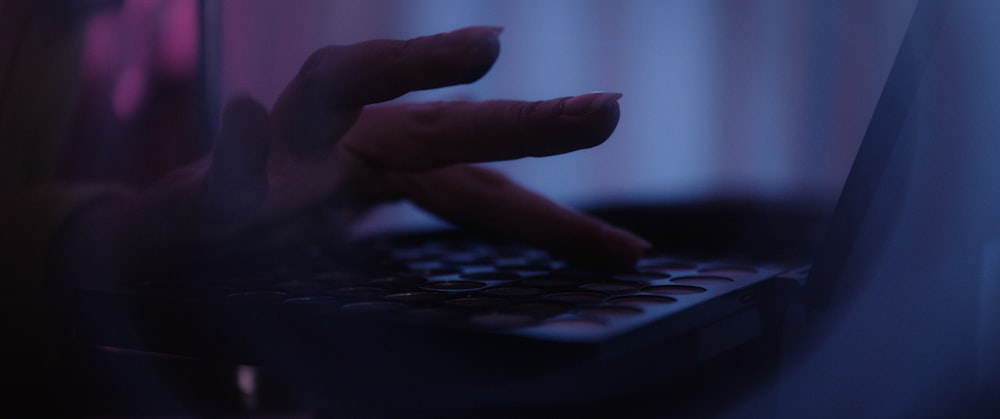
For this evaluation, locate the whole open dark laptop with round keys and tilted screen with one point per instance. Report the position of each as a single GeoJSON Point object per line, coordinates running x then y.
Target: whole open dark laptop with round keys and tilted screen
{"type": "Point", "coordinates": [456, 322]}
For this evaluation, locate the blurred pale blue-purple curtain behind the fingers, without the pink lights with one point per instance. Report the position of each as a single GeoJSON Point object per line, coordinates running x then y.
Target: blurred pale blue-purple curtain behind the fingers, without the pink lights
{"type": "Point", "coordinates": [763, 98]}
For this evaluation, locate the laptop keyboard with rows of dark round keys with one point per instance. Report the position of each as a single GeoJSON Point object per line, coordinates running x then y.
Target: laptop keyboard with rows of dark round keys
{"type": "Point", "coordinates": [470, 284]}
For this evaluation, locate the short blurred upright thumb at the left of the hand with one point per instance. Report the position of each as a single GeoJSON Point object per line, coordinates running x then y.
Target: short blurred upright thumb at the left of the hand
{"type": "Point", "coordinates": [236, 182]}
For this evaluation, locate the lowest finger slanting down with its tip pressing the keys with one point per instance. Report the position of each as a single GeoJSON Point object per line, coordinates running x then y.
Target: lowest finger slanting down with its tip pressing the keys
{"type": "Point", "coordinates": [479, 198]}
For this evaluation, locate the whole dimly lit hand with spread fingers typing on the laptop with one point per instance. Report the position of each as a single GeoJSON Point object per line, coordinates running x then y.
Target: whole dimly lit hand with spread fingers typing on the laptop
{"type": "Point", "coordinates": [325, 154]}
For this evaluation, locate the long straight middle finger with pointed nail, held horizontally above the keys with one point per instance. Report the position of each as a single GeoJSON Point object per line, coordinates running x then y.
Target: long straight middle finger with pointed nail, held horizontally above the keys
{"type": "Point", "coordinates": [423, 136]}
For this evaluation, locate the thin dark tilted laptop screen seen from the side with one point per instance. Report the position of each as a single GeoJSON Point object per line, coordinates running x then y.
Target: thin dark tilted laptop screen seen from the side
{"type": "Point", "coordinates": [871, 193]}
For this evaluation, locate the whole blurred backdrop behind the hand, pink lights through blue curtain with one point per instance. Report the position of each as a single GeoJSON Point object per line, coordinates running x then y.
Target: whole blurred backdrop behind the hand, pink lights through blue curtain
{"type": "Point", "coordinates": [765, 98]}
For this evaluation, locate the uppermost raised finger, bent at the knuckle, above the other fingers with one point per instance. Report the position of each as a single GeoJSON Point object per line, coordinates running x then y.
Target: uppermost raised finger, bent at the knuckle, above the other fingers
{"type": "Point", "coordinates": [322, 101]}
